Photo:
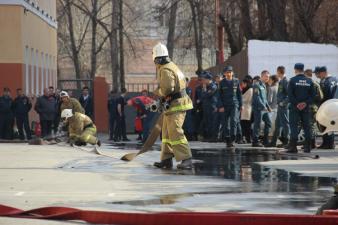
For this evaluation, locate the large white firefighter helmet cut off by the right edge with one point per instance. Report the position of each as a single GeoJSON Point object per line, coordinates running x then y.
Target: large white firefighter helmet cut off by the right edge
{"type": "Point", "coordinates": [327, 116]}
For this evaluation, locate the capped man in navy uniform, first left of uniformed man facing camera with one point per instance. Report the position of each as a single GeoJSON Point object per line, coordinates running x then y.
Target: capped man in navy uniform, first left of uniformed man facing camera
{"type": "Point", "coordinates": [209, 104]}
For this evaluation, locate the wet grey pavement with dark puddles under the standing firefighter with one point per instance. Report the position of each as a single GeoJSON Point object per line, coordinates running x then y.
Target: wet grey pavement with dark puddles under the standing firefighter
{"type": "Point", "coordinates": [243, 179]}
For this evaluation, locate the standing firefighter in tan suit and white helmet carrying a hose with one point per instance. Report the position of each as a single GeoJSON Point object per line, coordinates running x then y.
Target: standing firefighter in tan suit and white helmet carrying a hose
{"type": "Point", "coordinates": [171, 89]}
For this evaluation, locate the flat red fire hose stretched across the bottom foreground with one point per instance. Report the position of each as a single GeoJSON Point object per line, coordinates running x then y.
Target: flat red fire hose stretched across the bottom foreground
{"type": "Point", "coordinates": [167, 218]}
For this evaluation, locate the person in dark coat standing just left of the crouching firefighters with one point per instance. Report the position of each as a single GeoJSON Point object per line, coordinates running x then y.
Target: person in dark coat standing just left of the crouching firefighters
{"type": "Point", "coordinates": [46, 108]}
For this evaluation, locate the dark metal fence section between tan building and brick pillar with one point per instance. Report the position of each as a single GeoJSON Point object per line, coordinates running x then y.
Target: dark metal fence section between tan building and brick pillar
{"type": "Point", "coordinates": [74, 86]}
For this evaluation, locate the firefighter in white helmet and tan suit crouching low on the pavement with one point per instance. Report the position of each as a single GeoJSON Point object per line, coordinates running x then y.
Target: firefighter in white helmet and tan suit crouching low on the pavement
{"type": "Point", "coordinates": [80, 127]}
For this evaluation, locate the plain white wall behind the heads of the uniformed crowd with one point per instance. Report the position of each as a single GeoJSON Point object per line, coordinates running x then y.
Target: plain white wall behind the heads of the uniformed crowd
{"type": "Point", "coordinates": [269, 55]}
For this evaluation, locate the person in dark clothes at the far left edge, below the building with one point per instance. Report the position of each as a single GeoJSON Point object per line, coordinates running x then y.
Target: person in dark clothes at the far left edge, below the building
{"type": "Point", "coordinates": [6, 115]}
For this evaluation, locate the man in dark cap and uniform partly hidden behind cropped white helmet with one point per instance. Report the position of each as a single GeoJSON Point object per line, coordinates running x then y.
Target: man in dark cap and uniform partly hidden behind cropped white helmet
{"type": "Point", "coordinates": [329, 86]}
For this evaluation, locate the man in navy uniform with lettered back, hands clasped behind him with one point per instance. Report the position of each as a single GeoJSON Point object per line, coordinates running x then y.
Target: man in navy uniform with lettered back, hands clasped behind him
{"type": "Point", "coordinates": [301, 94]}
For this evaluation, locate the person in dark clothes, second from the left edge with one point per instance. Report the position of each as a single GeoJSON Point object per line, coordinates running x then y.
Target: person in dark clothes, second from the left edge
{"type": "Point", "coordinates": [22, 105]}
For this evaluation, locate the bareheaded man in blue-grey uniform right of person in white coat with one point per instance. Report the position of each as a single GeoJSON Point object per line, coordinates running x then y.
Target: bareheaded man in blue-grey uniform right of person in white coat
{"type": "Point", "coordinates": [260, 109]}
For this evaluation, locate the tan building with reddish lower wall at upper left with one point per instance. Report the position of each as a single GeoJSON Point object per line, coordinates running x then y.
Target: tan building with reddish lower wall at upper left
{"type": "Point", "coordinates": [28, 45]}
